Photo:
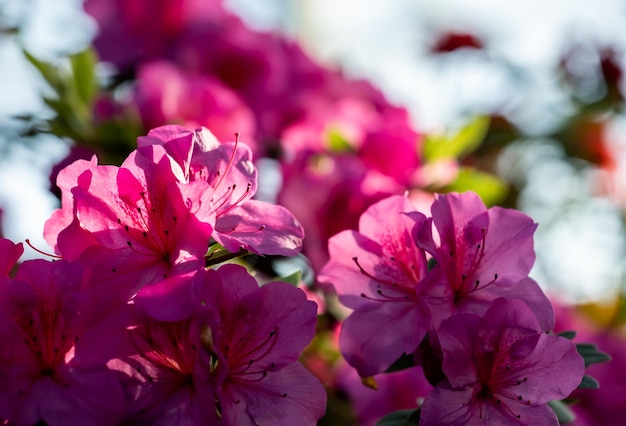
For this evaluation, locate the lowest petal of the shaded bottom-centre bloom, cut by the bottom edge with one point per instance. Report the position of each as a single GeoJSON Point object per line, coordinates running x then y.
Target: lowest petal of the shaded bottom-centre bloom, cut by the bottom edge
{"type": "Point", "coordinates": [286, 397]}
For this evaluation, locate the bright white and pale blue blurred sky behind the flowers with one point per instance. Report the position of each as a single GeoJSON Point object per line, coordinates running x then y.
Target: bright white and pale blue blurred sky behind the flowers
{"type": "Point", "coordinates": [579, 240]}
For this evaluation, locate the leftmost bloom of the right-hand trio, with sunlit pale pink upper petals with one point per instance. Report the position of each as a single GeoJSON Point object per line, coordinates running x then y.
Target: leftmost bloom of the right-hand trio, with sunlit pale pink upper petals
{"type": "Point", "coordinates": [379, 272]}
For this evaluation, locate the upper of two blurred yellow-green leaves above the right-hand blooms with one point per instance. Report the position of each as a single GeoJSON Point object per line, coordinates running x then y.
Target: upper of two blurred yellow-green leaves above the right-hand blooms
{"type": "Point", "coordinates": [459, 144]}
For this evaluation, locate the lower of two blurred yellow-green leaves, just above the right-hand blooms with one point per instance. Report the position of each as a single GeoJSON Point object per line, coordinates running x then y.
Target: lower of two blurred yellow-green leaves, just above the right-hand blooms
{"type": "Point", "coordinates": [489, 187]}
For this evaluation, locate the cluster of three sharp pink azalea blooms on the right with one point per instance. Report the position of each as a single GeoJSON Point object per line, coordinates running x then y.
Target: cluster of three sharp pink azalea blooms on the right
{"type": "Point", "coordinates": [452, 291]}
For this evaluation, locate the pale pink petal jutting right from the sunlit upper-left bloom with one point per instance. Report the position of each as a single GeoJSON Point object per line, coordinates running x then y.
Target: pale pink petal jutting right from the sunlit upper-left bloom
{"type": "Point", "coordinates": [261, 228]}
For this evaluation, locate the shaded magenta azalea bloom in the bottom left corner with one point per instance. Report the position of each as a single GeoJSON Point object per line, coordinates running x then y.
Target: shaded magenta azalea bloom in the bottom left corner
{"type": "Point", "coordinates": [57, 338]}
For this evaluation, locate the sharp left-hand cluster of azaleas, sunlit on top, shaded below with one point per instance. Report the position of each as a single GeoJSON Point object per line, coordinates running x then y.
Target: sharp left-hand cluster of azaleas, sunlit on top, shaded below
{"type": "Point", "coordinates": [130, 326]}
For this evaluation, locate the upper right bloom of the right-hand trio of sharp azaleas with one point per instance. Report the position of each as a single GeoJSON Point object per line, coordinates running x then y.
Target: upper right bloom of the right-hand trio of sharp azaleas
{"type": "Point", "coordinates": [483, 254]}
